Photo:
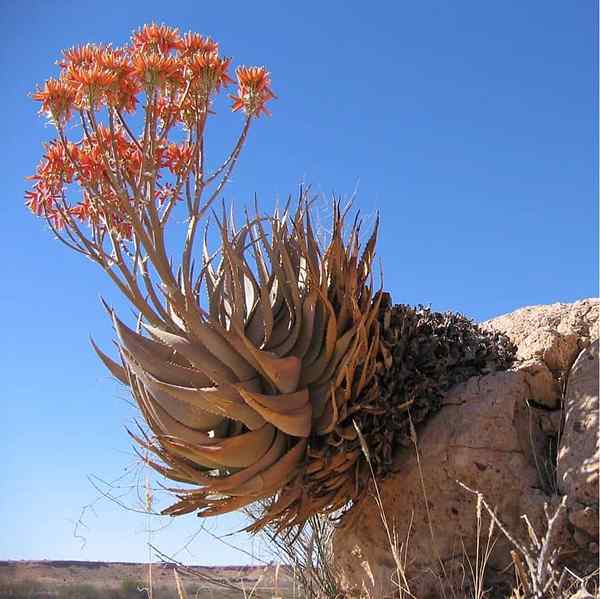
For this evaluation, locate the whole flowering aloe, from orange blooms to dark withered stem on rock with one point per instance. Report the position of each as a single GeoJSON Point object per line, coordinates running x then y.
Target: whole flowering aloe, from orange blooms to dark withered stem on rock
{"type": "Point", "coordinates": [254, 374]}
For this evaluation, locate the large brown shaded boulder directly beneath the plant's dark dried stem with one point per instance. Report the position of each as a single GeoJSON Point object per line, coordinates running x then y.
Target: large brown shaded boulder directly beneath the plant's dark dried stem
{"type": "Point", "coordinates": [473, 439]}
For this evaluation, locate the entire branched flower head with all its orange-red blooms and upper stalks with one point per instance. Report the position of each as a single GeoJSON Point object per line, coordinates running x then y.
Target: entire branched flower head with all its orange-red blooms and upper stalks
{"type": "Point", "coordinates": [127, 180]}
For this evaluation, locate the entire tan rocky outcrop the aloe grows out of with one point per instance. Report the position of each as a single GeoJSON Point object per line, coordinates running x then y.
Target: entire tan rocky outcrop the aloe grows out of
{"type": "Point", "coordinates": [521, 438]}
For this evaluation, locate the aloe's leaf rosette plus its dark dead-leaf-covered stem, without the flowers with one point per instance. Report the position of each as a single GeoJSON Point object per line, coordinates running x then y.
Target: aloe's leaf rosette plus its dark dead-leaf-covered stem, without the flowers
{"type": "Point", "coordinates": [260, 400]}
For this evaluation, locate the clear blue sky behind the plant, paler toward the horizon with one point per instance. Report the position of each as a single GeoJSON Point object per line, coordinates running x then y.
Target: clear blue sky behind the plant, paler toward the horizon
{"type": "Point", "coordinates": [471, 126]}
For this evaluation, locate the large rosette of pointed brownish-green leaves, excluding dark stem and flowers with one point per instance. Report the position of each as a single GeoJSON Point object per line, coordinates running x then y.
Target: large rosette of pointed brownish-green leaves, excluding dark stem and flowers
{"type": "Point", "coordinates": [241, 404]}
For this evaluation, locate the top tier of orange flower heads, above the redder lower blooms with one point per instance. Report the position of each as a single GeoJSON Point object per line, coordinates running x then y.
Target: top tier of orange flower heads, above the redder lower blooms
{"type": "Point", "coordinates": [184, 71]}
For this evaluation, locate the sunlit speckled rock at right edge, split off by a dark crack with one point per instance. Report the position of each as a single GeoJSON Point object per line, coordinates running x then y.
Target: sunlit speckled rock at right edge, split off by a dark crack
{"type": "Point", "coordinates": [579, 452]}
